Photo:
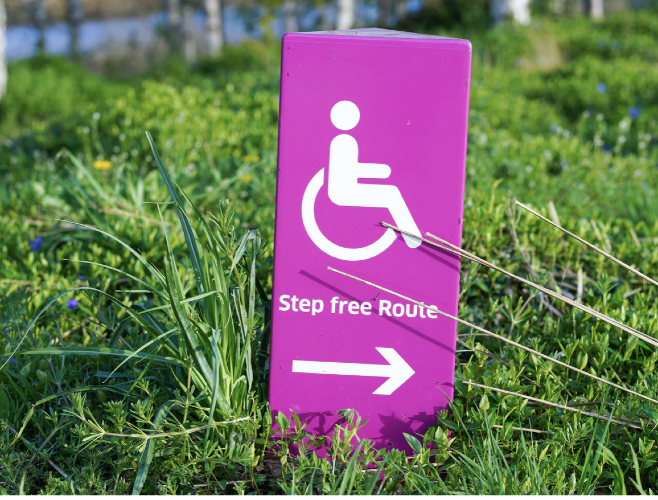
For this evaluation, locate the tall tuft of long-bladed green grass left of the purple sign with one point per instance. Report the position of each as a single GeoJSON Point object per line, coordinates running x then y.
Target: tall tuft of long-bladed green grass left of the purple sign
{"type": "Point", "coordinates": [209, 334]}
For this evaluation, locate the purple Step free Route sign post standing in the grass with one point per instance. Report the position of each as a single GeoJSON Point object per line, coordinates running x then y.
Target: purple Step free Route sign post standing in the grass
{"type": "Point", "coordinates": [372, 128]}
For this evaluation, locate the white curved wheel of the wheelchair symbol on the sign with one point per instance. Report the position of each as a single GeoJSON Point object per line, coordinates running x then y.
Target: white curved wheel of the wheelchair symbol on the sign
{"type": "Point", "coordinates": [328, 247]}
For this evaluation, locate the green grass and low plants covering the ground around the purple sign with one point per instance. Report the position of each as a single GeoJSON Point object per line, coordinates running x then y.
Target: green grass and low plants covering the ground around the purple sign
{"type": "Point", "coordinates": [155, 382]}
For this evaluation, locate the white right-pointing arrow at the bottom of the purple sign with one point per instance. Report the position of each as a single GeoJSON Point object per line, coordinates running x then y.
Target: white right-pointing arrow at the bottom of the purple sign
{"type": "Point", "coordinates": [397, 370]}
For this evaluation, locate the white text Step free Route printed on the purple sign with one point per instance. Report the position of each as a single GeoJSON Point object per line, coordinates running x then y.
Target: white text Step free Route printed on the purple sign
{"type": "Point", "coordinates": [384, 307]}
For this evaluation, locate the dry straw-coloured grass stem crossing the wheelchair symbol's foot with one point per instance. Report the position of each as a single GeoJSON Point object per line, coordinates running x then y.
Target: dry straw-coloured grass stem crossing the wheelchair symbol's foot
{"type": "Point", "coordinates": [449, 247]}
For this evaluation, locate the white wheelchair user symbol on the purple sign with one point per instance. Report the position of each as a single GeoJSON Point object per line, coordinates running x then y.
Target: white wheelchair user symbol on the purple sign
{"type": "Point", "coordinates": [345, 190]}
